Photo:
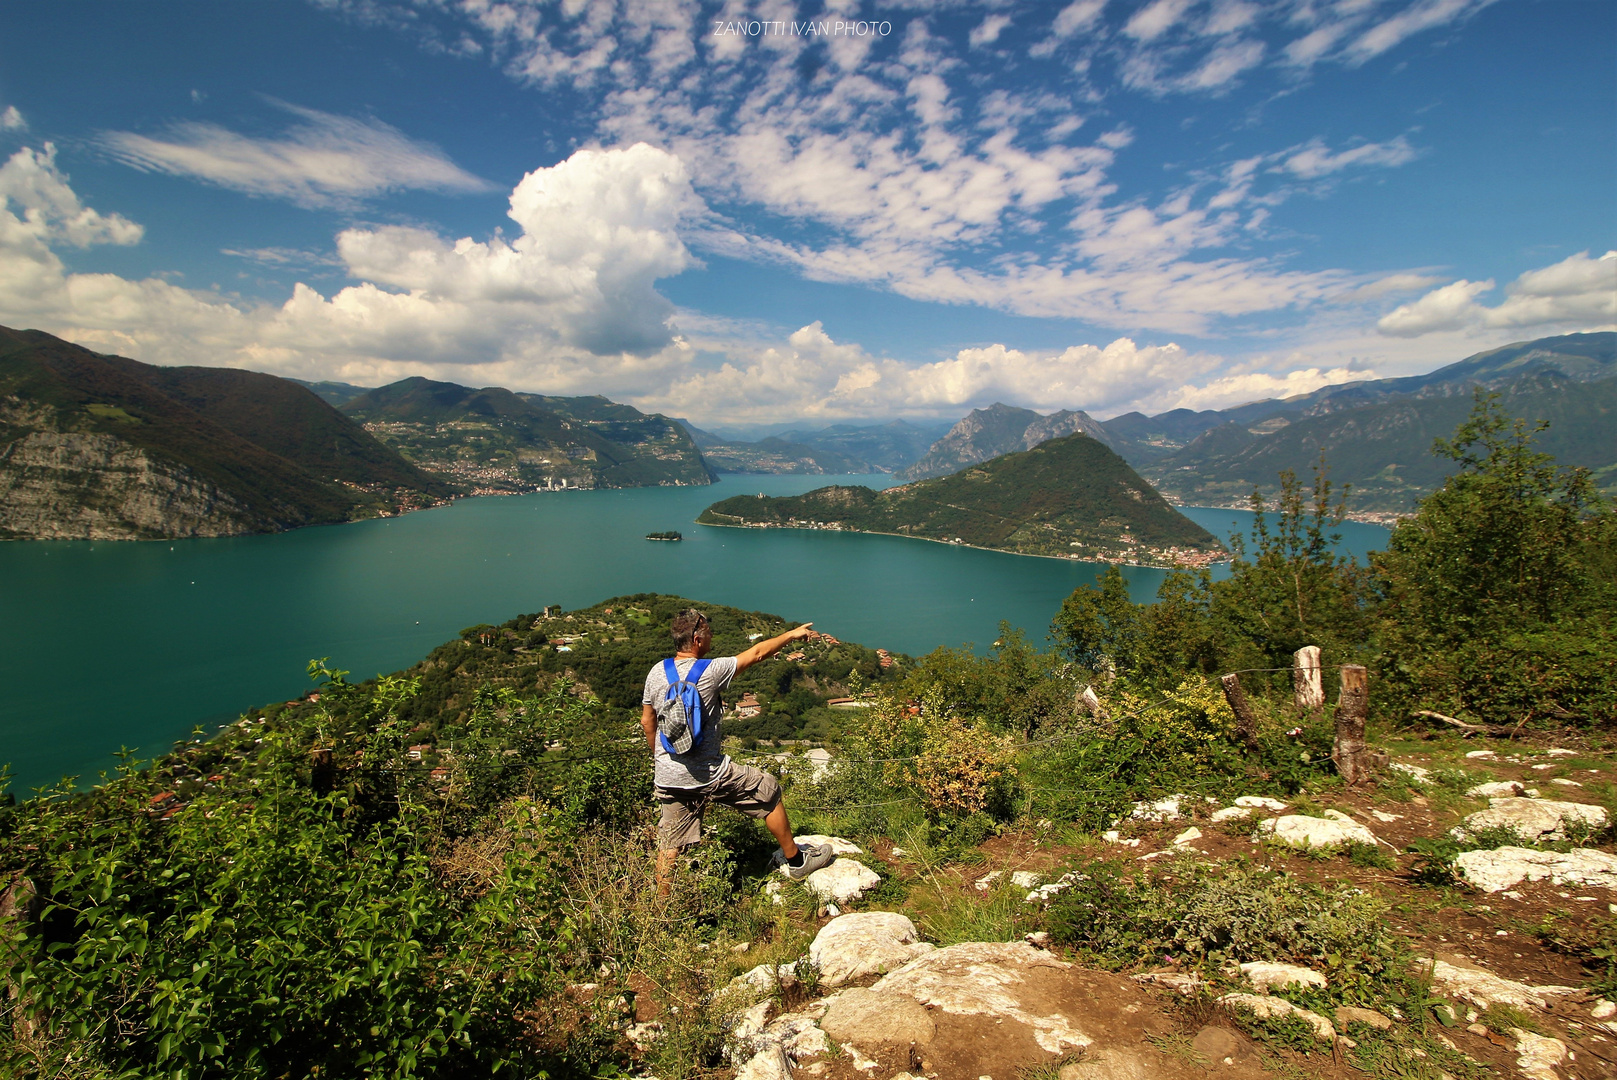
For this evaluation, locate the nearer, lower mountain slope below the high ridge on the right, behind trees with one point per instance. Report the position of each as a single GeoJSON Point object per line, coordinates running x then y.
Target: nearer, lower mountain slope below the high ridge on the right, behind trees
{"type": "Point", "coordinates": [1385, 449]}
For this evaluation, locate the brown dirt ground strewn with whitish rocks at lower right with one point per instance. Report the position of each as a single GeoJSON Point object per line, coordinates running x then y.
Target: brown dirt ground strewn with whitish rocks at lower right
{"type": "Point", "coordinates": [1534, 877]}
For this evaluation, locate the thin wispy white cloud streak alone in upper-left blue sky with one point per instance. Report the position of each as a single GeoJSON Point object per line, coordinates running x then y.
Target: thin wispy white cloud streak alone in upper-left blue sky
{"type": "Point", "coordinates": [326, 161]}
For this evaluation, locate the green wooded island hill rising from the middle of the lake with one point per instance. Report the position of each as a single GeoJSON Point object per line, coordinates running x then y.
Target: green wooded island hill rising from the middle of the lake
{"type": "Point", "coordinates": [1070, 497]}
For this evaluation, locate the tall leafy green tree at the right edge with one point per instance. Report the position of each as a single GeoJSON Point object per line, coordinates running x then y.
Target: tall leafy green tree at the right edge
{"type": "Point", "coordinates": [1497, 599]}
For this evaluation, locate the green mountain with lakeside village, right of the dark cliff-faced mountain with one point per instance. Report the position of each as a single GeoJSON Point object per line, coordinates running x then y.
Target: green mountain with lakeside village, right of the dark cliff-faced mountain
{"type": "Point", "coordinates": [504, 442]}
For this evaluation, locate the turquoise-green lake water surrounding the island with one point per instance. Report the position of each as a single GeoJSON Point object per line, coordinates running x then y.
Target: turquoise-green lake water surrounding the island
{"type": "Point", "coordinates": [133, 644]}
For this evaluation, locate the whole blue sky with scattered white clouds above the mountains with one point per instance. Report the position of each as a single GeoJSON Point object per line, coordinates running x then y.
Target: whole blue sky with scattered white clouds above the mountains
{"type": "Point", "coordinates": [814, 213]}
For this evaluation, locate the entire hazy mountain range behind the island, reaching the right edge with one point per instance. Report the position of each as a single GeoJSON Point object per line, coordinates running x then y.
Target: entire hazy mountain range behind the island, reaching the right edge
{"type": "Point", "coordinates": [1375, 434]}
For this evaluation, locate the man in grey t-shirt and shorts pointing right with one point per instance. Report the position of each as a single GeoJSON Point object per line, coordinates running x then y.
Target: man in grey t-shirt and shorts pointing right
{"type": "Point", "coordinates": [686, 783]}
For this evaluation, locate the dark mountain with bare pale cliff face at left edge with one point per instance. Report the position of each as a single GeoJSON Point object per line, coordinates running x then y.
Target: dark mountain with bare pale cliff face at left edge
{"type": "Point", "coordinates": [108, 449]}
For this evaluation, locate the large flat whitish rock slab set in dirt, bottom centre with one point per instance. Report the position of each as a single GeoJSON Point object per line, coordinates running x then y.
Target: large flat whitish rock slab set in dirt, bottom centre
{"type": "Point", "coordinates": [987, 979]}
